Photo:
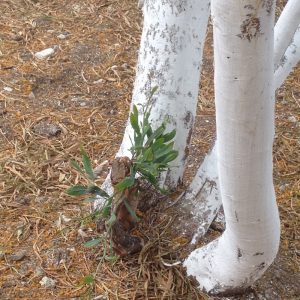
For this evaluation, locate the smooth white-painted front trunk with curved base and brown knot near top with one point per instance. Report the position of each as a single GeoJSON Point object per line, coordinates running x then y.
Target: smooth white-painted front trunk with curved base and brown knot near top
{"type": "Point", "coordinates": [244, 92]}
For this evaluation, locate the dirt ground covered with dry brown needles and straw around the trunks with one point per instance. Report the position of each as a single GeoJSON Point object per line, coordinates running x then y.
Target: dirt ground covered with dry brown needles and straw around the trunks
{"type": "Point", "coordinates": [81, 95]}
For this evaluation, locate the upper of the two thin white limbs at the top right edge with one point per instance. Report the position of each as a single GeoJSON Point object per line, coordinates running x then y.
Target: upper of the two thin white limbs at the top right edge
{"type": "Point", "coordinates": [285, 29]}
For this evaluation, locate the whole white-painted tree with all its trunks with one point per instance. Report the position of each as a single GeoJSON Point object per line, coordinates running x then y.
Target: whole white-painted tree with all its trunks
{"type": "Point", "coordinates": [238, 170]}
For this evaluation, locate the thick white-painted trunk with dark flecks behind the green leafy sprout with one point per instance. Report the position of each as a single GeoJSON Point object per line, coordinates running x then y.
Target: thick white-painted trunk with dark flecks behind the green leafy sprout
{"type": "Point", "coordinates": [170, 58]}
